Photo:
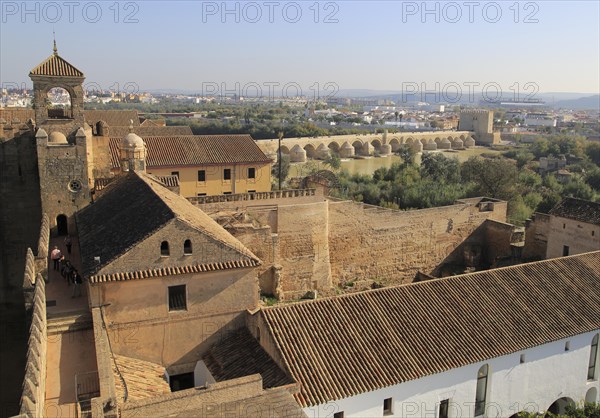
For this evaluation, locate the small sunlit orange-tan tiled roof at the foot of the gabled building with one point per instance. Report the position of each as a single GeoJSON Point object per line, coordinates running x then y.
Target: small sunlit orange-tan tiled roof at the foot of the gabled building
{"type": "Point", "coordinates": [143, 379]}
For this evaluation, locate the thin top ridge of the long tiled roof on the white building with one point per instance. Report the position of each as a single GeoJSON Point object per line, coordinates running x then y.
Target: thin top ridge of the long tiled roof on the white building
{"type": "Point", "coordinates": [422, 283]}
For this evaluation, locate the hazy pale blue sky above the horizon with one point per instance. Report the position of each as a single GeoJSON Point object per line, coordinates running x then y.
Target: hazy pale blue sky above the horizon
{"type": "Point", "coordinates": [383, 45]}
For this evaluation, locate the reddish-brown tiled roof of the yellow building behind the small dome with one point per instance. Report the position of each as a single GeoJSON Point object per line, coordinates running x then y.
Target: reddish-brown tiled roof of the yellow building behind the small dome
{"type": "Point", "coordinates": [192, 150]}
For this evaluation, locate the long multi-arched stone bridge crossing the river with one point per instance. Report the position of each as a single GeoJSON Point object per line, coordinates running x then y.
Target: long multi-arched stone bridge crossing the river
{"type": "Point", "coordinates": [350, 146]}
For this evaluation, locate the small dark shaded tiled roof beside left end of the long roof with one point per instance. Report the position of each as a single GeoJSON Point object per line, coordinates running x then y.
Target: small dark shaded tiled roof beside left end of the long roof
{"type": "Point", "coordinates": [230, 359]}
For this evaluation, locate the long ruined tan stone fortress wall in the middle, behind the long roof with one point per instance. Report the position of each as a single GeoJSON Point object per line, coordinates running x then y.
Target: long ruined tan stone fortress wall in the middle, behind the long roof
{"type": "Point", "coordinates": [317, 243]}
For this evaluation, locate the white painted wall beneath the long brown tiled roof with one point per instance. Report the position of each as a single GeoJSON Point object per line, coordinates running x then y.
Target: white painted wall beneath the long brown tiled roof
{"type": "Point", "coordinates": [548, 373]}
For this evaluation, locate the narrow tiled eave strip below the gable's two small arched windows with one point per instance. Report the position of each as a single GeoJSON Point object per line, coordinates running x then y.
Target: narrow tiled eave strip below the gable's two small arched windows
{"type": "Point", "coordinates": [173, 270]}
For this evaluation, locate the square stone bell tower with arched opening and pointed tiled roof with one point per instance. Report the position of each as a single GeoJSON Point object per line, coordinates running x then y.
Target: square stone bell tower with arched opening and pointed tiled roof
{"type": "Point", "coordinates": [64, 145]}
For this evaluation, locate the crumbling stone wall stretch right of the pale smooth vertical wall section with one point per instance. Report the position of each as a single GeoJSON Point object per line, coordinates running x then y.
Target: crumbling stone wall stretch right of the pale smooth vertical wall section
{"type": "Point", "coordinates": [390, 246]}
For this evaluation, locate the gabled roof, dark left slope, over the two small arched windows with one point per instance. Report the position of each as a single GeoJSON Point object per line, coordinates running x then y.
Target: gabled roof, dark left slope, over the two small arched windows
{"type": "Point", "coordinates": [132, 208]}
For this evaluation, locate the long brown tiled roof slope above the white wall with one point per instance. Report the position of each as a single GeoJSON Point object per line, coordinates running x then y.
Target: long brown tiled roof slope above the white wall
{"type": "Point", "coordinates": [346, 345]}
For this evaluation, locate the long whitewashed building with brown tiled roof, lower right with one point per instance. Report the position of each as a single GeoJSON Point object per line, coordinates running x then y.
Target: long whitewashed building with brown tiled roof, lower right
{"type": "Point", "coordinates": [489, 344]}
